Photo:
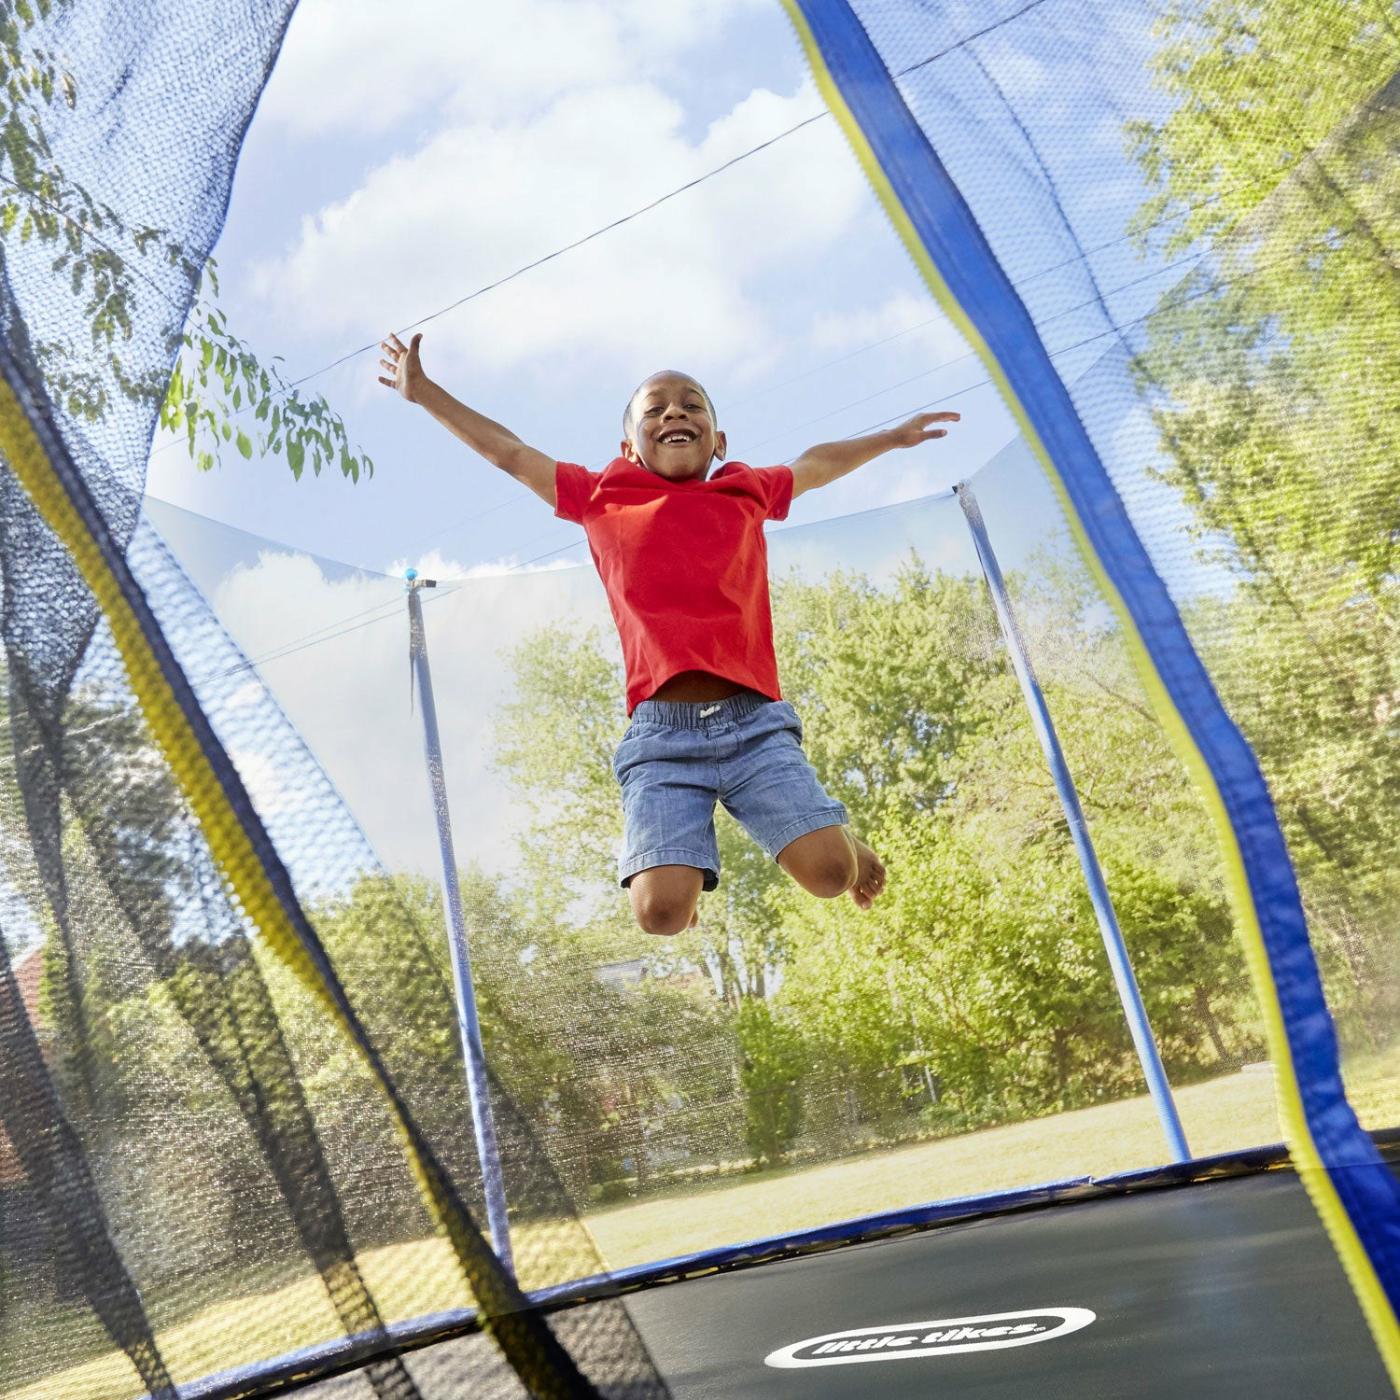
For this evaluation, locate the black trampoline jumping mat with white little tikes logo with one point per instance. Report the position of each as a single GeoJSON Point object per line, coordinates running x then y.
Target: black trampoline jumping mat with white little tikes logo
{"type": "Point", "coordinates": [1206, 1282]}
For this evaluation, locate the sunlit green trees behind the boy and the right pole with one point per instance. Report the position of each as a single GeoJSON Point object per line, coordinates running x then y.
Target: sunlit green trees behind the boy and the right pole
{"type": "Point", "coordinates": [978, 990]}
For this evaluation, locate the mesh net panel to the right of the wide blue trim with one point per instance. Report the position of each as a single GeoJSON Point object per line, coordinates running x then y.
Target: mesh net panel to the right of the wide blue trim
{"type": "Point", "coordinates": [1198, 204]}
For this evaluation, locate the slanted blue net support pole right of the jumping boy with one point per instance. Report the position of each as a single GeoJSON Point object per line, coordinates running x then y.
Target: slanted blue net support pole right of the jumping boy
{"type": "Point", "coordinates": [1119, 962]}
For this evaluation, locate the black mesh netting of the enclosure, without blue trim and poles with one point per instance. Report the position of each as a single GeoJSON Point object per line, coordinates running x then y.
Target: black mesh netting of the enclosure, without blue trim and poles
{"type": "Point", "coordinates": [201, 1174]}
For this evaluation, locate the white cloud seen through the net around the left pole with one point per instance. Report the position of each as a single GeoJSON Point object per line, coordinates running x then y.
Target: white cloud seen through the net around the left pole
{"type": "Point", "coordinates": [348, 695]}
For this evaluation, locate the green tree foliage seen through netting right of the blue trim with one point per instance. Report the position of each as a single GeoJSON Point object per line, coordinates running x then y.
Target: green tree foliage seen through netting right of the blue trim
{"type": "Point", "coordinates": [1273, 372]}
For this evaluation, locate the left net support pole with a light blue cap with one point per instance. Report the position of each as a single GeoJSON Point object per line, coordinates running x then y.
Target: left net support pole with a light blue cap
{"type": "Point", "coordinates": [468, 1025]}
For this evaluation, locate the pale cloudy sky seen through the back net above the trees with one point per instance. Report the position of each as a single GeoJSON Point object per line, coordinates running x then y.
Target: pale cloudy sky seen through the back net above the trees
{"type": "Point", "coordinates": [337, 664]}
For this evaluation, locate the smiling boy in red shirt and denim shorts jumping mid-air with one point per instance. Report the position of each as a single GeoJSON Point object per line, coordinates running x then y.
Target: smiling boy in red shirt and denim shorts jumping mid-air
{"type": "Point", "coordinates": [682, 556]}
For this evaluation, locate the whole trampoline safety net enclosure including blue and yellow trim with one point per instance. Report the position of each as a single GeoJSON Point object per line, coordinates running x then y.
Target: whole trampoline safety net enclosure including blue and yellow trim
{"type": "Point", "coordinates": [1137, 677]}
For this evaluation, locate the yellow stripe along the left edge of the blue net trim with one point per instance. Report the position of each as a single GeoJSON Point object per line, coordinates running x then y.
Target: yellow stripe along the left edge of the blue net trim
{"type": "Point", "coordinates": [1298, 1136]}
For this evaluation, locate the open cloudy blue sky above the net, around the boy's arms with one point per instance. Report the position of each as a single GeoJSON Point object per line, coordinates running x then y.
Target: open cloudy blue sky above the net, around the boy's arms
{"type": "Point", "coordinates": [398, 164]}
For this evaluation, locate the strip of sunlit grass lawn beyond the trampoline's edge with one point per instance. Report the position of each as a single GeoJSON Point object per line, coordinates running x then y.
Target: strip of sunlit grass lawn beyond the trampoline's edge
{"type": "Point", "coordinates": [408, 1280]}
